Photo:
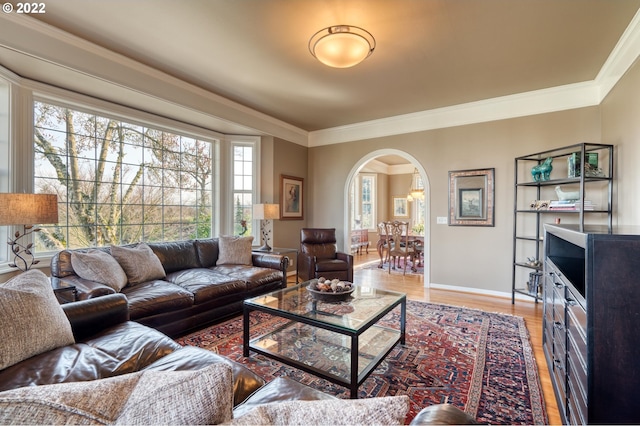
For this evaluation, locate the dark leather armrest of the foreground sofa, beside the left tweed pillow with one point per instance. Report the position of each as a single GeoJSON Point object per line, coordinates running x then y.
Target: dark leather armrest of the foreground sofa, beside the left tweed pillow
{"type": "Point", "coordinates": [87, 317]}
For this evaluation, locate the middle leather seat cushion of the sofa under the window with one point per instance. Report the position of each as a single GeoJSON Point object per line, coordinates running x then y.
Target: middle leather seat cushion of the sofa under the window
{"type": "Point", "coordinates": [206, 284]}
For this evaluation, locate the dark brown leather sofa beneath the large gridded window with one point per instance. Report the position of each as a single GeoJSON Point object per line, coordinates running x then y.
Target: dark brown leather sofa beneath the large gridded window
{"type": "Point", "coordinates": [195, 291]}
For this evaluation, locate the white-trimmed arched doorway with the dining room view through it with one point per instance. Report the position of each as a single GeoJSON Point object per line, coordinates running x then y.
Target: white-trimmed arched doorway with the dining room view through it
{"type": "Point", "coordinates": [385, 186]}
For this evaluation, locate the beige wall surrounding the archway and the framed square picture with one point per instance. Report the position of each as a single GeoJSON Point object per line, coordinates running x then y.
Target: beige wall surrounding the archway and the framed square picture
{"type": "Point", "coordinates": [478, 257]}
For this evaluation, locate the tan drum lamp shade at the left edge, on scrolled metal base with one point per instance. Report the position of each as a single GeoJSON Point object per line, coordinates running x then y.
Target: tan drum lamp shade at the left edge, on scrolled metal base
{"type": "Point", "coordinates": [28, 209]}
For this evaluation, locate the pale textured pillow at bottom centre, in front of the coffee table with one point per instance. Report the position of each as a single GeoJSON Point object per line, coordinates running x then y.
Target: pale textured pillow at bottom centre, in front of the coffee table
{"type": "Point", "coordinates": [390, 410]}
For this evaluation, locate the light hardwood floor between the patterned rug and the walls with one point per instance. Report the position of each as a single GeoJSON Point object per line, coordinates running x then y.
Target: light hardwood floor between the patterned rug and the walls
{"type": "Point", "coordinates": [413, 286]}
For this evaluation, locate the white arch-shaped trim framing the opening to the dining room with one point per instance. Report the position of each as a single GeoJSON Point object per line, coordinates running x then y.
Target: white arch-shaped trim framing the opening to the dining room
{"type": "Point", "coordinates": [353, 173]}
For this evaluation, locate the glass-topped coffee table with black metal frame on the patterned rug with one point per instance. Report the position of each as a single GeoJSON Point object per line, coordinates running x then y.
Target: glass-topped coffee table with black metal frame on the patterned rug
{"type": "Point", "coordinates": [342, 342]}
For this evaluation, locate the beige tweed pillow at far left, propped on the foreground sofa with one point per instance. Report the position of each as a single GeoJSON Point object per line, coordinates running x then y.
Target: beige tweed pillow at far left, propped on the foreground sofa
{"type": "Point", "coordinates": [32, 320]}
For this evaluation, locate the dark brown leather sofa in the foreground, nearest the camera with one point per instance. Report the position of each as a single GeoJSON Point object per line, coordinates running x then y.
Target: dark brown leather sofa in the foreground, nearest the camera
{"type": "Point", "coordinates": [108, 345]}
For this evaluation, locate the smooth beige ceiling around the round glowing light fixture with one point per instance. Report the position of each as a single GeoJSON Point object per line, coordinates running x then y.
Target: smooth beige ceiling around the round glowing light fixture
{"type": "Point", "coordinates": [430, 53]}
